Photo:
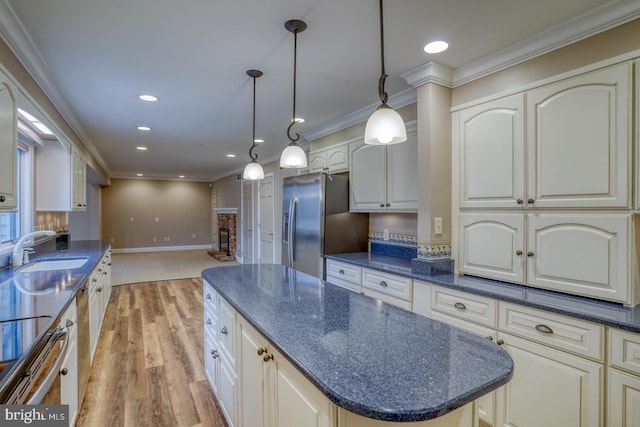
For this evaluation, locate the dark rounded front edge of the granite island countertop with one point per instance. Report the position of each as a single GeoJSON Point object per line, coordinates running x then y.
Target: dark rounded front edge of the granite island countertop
{"type": "Point", "coordinates": [359, 407]}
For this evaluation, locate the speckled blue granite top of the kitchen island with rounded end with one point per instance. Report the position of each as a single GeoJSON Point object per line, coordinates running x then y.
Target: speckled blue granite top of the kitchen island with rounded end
{"type": "Point", "coordinates": [367, 357]}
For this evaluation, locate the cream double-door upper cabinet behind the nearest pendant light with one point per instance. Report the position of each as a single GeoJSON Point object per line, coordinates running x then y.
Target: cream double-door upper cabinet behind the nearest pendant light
{"type": "Point", "coordinates": [384, 179]}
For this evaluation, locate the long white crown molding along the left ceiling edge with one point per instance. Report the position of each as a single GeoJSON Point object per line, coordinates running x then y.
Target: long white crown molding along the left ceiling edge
{"type": "Point", "coordinates": [13, 34]}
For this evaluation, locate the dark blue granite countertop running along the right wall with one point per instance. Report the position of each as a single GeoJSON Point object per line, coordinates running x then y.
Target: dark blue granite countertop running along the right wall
{"type": "Point", "coordinates": [607, 313]}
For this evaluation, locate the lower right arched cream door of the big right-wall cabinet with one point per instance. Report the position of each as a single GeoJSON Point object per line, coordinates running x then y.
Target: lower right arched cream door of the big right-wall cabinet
{"type": "Point", "coordinates": [579, 254]}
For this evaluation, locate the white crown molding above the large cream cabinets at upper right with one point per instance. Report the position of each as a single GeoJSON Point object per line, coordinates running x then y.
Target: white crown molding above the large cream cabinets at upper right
{"type": "Point", "coordinates": [574, 30]}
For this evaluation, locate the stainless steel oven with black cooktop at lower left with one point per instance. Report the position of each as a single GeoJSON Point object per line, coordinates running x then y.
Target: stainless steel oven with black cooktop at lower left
{"type": "Point", "coordinates": [36, 380]}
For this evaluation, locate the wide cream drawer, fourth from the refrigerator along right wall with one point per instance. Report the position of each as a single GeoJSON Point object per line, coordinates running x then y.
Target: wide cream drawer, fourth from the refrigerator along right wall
{"type": "Point", "coordinates": [563, 332]}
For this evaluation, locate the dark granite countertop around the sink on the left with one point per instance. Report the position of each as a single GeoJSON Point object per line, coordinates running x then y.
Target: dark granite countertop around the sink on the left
{"type": "Point", "coordinates": [44, 293]}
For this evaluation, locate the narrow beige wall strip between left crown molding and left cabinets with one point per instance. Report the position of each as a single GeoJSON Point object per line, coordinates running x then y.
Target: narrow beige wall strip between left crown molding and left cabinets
{"type": "Point", "coordinates": [20, 74]}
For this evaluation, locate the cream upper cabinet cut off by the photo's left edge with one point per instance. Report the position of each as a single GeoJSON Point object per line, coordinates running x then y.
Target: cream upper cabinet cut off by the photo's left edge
{"type": "Point", "coordinates": [8, 147]}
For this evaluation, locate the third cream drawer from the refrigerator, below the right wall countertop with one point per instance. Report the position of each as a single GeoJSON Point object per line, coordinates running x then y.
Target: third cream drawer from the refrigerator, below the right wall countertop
{"type": "Point", "coordinates": [466, 306]}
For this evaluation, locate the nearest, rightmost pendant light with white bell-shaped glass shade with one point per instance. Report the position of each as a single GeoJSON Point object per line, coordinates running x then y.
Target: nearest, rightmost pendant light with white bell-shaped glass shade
{"type": "Point", "coordinates": [385, 126]}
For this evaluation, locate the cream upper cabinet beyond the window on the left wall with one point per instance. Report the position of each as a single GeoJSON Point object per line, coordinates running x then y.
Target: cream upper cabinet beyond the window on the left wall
{"type": "Point", "coordinates": [60, 178]}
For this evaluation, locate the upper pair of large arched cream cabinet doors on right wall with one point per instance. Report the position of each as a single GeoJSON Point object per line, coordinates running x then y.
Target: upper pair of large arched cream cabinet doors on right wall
{"type": "Point", "coordinates": [575, 154]}
